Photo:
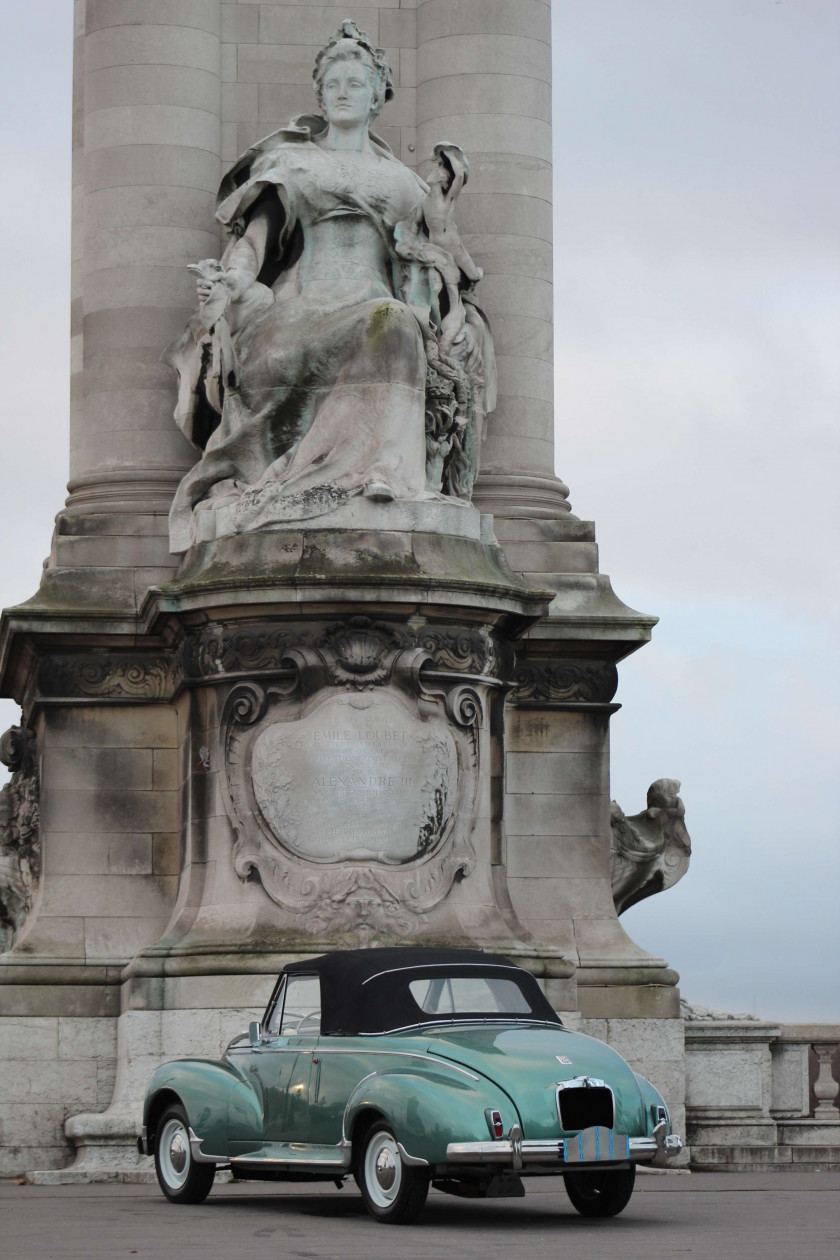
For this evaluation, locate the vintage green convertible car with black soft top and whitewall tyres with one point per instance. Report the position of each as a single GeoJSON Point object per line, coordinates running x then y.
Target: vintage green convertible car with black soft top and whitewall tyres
{"type": "Point", "coordinates": [407, 1069]}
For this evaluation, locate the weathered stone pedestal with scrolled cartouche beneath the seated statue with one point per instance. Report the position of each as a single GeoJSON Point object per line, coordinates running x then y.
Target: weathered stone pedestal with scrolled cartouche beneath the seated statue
{"type": "Point", "coordinates": [195, 762]}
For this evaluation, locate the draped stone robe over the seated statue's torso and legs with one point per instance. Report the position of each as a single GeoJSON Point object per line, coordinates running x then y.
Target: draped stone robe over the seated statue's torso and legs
{"type": "Point", "coordinates": [332, 374]}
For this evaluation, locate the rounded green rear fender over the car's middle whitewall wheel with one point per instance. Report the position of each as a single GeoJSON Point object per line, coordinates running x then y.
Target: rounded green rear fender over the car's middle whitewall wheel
{"type": "Point", "coordinates": [429, 1112]}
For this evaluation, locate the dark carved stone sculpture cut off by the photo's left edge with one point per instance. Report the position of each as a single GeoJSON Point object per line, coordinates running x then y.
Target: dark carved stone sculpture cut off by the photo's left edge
{"type": "Point", "coordinates": [20, 832]}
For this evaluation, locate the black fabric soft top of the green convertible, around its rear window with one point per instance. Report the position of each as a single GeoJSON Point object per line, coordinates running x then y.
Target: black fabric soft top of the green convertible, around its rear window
{"type": "Point", "coordinates": [366, 991]}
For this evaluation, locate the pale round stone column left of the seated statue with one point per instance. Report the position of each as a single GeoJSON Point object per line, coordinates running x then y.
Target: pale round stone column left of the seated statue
{"type": "Point", "coordinates": [148, 140]}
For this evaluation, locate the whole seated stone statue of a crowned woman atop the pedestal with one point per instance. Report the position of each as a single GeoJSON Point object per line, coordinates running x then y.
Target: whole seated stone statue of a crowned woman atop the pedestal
{"type": "Point", "coordinates": [338, 348]}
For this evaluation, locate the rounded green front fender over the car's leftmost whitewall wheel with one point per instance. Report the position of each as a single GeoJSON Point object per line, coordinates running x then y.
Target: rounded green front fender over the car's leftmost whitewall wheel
{"type": "Point", "coordinates": [205, 1089]}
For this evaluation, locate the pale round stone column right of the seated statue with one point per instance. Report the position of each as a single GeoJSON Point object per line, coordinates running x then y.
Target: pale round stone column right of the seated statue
{"type": "Point", "coordinates": [485, 83]}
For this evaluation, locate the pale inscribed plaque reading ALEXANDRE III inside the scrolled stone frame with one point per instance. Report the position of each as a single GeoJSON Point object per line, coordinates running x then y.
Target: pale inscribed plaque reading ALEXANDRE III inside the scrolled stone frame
{"type": "Point", "coordinates": [361, 777]}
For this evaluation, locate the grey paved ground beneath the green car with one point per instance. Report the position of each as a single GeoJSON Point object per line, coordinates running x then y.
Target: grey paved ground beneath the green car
{"type": "Point", "coordinates": [707, 1217]}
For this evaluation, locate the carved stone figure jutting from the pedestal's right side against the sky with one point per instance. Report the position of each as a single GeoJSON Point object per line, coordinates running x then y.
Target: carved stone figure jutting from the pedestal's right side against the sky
{"type": "Point", "coordinates": [650, 851]}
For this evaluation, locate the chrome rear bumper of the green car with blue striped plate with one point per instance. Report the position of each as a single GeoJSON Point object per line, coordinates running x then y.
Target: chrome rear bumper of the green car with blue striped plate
{"type": "Point", "coordinates": [591, 1148]}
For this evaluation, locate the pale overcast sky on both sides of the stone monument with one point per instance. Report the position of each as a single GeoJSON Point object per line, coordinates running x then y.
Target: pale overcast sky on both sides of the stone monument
{"type": "Point", "coordinates": [698, 408]}
